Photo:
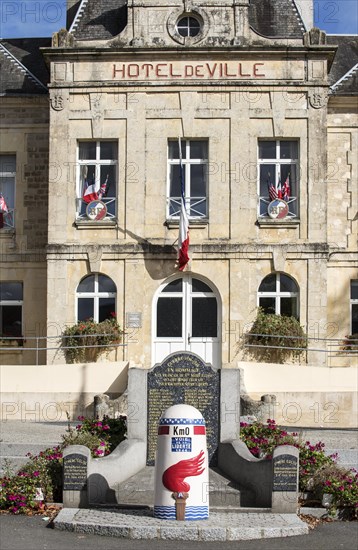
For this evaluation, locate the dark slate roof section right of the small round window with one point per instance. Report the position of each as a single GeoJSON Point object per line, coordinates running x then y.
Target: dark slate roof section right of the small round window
{"type": "Point", "coordinates": [276, 19]}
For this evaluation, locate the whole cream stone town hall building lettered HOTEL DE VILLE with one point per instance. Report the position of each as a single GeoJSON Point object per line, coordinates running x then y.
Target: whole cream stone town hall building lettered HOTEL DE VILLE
{"type": "Point", "coordinates": [244, 101]}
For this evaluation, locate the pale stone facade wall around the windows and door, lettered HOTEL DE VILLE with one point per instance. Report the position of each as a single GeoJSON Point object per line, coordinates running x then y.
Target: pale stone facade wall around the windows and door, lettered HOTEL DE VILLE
{"type": "Point", "coordinates": [229, 85]}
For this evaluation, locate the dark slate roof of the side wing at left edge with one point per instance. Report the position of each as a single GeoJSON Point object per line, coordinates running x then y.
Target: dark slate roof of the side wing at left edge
{"type": "Point", "coordinates": [24, 66]}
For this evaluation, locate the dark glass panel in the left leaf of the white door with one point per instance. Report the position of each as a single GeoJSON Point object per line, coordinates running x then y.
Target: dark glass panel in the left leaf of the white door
{"type": "Point", "coordinates": [169, 317]}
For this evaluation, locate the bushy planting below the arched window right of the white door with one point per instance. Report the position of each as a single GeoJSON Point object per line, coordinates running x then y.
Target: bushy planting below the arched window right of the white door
{"type": "Point", "coordinates": [273, 338]}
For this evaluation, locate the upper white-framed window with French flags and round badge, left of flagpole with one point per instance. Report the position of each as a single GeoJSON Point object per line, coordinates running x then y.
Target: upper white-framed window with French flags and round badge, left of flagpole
{"type": "Point", "coordinates": [96, 180]}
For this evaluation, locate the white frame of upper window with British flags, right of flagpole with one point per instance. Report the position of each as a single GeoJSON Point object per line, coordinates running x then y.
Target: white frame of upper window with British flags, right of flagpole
{"type": "Point", "coordinates": [278, 162]}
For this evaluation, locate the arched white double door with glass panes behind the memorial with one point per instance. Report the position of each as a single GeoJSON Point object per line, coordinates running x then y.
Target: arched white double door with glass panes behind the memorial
{"type": "Point", "coordinates": [187, 318]}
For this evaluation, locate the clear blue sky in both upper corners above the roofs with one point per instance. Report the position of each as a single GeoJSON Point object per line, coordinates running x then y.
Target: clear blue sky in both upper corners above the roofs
{"type": "Point", "coordinates": [26, 18]}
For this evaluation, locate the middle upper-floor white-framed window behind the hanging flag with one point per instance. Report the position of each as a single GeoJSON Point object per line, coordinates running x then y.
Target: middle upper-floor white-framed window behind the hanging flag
{"type": "Point", "coordinates": [195, 176]}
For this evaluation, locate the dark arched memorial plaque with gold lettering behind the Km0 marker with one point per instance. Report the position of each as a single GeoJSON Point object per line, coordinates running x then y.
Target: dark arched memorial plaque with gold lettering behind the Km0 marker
{"type": "Point", "coordinates": [184, 378]}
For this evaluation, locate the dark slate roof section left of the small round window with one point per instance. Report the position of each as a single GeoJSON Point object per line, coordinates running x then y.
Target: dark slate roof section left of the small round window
{"type": "Point", "coordinates": [99, 19]}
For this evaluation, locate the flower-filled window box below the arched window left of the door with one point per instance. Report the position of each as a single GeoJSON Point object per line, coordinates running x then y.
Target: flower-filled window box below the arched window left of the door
{"type": "Point", "coordinates": [85, 341]}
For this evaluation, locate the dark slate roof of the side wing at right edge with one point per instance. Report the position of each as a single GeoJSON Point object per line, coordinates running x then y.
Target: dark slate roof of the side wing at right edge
{"type": "Point", "coordinates": [343, 76]}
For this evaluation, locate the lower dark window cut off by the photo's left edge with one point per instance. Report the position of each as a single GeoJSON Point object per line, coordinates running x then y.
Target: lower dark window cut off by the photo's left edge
{"type": "Point", "coordinates": [11, 302]}
